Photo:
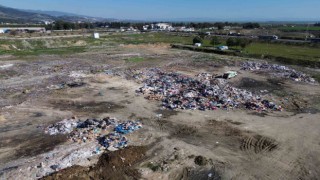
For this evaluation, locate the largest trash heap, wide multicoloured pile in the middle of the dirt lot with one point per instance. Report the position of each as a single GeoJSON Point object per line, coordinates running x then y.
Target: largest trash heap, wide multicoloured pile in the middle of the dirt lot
{"type": "Point", "coordinates": [204, 92]}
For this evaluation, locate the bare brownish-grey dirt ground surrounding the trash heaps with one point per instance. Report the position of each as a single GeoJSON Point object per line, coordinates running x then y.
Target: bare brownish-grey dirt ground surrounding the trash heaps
{"type": "Point", "coordinates": [182, 144]}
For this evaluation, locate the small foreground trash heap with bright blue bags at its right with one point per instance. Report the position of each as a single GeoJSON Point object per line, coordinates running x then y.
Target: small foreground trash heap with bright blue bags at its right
{"type": "Point", "coordinates": [108, 132]}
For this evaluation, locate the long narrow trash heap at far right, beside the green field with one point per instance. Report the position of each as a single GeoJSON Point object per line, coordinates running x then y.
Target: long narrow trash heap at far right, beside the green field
{"type": "Point", "coordinates": [278, 71]}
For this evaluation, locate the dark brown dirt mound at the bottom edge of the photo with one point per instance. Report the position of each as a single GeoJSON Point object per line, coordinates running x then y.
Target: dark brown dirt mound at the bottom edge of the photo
{"type": "Point", "coordinates": [113, 165]}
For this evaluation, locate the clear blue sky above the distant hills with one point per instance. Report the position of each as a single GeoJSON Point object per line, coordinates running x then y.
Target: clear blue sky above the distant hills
{"type": "Point", "coordinates": [237, 10]}
